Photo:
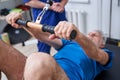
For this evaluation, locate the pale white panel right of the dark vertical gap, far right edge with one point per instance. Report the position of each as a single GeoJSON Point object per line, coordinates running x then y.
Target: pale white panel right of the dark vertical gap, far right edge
{"type": "Point", "coordinates": [115, 22]}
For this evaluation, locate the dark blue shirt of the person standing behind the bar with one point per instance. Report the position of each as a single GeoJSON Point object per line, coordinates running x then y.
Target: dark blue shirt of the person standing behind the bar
{"type": "Point", "coordinates": [50, 17]}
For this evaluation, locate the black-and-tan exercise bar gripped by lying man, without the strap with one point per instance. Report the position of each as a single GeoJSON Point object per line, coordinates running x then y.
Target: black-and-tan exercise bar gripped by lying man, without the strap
{"type": "Point", "coordinates": [44, 28]}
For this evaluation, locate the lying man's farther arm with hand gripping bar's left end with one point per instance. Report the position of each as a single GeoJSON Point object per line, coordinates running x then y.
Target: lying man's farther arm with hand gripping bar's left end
{"type": "Point", "coordinates": [42, 36]}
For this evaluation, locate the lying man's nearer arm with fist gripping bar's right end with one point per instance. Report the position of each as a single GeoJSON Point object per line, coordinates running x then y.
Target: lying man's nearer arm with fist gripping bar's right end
{"type": "Point", "coordinates": [63, 30]}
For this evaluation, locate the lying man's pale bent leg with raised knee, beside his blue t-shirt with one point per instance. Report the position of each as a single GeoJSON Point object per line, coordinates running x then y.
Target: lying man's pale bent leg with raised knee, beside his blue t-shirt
{"type": "Point", "coordinates": [41, 66]}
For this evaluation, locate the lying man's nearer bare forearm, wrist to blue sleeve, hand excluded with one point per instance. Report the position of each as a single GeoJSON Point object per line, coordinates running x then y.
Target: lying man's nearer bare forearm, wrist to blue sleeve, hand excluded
{"type": "Point", "coordinates": [92, 50]}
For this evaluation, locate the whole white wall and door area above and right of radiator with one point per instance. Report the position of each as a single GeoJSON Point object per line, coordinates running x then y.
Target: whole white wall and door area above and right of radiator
{"type": "Point", "coordinates": [100, 14]}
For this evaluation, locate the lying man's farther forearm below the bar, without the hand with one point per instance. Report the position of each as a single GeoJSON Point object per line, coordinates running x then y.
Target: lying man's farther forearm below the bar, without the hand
{"type": "Point", "coordinates": [44, 37]}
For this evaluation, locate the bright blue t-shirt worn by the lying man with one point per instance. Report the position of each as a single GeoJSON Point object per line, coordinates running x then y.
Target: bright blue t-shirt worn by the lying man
{"type": "Point", "coordinates": [76, 64]}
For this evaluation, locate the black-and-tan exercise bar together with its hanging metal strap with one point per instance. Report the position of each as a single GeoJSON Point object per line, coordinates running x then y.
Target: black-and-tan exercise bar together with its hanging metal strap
{"type": "Point", "coordinates": [44, 28]}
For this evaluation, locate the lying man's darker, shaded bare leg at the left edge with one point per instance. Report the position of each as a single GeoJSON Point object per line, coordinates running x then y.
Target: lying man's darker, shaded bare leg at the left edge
{"type": "Point", "coordinates": [12, 62]}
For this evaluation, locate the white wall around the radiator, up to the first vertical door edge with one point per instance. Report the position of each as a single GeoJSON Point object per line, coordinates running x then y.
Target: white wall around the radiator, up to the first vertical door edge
{"type": "Point", "coordinates": [93, 11]}
